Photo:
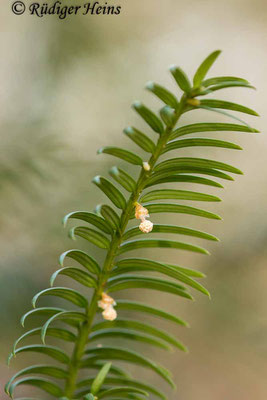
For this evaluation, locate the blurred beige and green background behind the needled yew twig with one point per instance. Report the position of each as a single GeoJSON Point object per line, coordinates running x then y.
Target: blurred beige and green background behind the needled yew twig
{"type": "Point", "coordinates": [66, 90]}
